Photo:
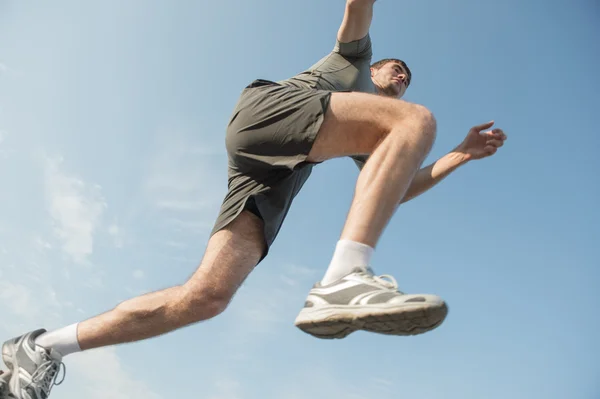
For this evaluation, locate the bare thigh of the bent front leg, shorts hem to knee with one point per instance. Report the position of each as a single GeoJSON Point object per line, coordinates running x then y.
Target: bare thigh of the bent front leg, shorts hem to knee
{"type": "Point", "coordinates": [355, 123]}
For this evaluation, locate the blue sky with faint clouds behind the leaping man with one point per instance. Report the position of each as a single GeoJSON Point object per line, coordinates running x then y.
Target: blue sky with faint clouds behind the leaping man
{"type": "Point", "coordinates": [112, 168]}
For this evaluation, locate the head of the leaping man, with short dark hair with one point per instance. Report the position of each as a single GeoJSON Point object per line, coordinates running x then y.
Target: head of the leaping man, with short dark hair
{"type": "Point", "coordinates": [391, 77]}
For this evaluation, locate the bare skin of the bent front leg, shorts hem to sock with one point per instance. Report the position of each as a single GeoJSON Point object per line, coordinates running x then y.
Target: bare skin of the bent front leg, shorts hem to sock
{"type": "Point", "coordinates": [397, 134]}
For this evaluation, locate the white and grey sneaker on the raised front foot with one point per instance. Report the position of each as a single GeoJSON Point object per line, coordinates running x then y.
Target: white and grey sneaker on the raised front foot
{"type": "Point", "coordinates": [363, 301]}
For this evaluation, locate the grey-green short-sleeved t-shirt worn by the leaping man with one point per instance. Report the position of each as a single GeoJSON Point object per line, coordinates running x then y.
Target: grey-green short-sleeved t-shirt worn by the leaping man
{"type": "Point", "coordinates": [346, 68]}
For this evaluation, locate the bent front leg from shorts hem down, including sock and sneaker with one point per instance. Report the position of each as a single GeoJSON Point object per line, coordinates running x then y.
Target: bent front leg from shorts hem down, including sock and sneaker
{"type": "Point", "coordinates": [397, 135]}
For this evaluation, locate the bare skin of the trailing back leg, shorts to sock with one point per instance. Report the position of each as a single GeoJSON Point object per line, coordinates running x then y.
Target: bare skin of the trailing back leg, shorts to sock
{"type": "Point", "coordinates": [230, 256]}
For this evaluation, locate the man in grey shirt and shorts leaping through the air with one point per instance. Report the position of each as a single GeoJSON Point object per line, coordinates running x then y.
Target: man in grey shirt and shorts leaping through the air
{"type": "Point", "coordinates": [341, 106]}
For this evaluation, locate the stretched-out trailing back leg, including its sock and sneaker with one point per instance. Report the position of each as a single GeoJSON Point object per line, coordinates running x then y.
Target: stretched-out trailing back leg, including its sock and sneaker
{"type": "Point", "coordinates": [230, 256]}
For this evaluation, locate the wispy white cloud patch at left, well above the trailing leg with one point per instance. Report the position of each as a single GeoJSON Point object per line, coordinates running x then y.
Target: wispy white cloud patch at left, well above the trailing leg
{"type": "Point", "coordinates": [76, 209]}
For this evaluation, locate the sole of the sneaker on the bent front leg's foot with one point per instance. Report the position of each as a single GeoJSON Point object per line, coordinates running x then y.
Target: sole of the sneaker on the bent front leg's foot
{"type": "Point", "coordinates": [338, 322]}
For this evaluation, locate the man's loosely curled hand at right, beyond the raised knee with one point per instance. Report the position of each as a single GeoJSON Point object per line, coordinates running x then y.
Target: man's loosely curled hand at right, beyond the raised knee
{"type": "Point", "coordinates": [479, 144]}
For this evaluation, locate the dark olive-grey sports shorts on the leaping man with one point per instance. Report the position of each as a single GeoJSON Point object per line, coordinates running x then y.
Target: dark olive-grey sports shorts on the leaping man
{"type": "Point", "coordinates": [269, 137]}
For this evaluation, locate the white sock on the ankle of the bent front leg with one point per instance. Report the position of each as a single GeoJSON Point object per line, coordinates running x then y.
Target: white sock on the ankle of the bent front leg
{"type": "Point", "coordinates": [348, 255]}
